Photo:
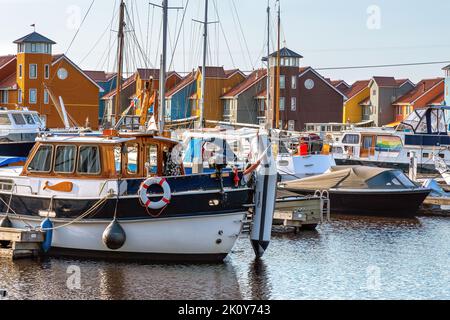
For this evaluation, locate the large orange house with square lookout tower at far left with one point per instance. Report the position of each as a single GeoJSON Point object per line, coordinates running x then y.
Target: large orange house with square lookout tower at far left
{"type": "Point", "coordinates": [35, 77]}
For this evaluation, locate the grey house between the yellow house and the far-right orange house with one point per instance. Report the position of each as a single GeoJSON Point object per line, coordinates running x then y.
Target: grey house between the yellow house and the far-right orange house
{"type": "Point", "coordinates": [383, 92]}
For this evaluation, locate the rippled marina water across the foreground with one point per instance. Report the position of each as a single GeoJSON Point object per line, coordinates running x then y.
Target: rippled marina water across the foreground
{"type": "Point", "coordinates": [349, 258]}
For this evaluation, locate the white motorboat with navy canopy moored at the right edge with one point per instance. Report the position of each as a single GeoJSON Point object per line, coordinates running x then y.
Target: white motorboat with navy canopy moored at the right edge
{"type": "Point", "coordinates": [423, 135]}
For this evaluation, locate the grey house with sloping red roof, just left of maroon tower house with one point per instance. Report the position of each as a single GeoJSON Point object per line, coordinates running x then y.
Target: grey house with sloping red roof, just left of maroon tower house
{"type": "Point", "coordinates": [241, 103]}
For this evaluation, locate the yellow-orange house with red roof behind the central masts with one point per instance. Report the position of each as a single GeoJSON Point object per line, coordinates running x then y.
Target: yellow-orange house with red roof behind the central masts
{"type": "Point", "coordinates": [218, 82]}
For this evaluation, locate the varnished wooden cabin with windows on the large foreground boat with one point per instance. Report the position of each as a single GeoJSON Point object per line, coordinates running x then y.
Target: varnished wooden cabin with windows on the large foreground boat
{"type": "Point", "coordinates": [125, 156]}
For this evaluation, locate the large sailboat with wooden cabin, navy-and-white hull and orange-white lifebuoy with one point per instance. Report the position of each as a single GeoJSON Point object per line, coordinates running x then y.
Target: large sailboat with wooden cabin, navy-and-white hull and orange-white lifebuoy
{"type": "Point", "coordinates": [125, 194]}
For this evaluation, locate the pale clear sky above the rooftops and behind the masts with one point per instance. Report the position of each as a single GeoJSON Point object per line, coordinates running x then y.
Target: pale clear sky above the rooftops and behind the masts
{"type": "Point", "coordinates": [327, 33]}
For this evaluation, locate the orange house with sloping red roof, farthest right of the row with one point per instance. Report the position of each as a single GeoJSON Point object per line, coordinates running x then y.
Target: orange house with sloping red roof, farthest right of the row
{"type": "Point", "coordinates": [427, 92]}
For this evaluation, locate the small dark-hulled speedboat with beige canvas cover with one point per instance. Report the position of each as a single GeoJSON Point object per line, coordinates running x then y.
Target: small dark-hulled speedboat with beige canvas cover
{"type": "Point", "coordinates": [363, 190]}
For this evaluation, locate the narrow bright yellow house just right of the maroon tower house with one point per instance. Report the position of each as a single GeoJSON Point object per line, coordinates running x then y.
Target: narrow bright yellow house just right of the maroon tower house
{"type": "Point", "coordinates": [356, 94]}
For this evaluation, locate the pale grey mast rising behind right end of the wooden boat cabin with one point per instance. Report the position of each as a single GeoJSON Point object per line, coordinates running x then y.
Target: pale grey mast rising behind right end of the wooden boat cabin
{"type": "Point", "coordinates": [162, 72]}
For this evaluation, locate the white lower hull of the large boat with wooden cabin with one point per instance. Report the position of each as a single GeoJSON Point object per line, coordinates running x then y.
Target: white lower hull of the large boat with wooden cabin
{"type": "Point", "coordinates": [207, 236]}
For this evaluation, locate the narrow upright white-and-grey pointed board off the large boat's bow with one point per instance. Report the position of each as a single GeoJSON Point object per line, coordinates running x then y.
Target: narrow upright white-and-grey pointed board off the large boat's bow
{"type": "Point", "coordinates": [265, 196]}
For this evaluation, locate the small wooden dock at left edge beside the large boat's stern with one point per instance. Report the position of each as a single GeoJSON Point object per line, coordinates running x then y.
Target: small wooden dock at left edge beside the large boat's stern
{"type": "Point", "coordinates": [20, 243]}
